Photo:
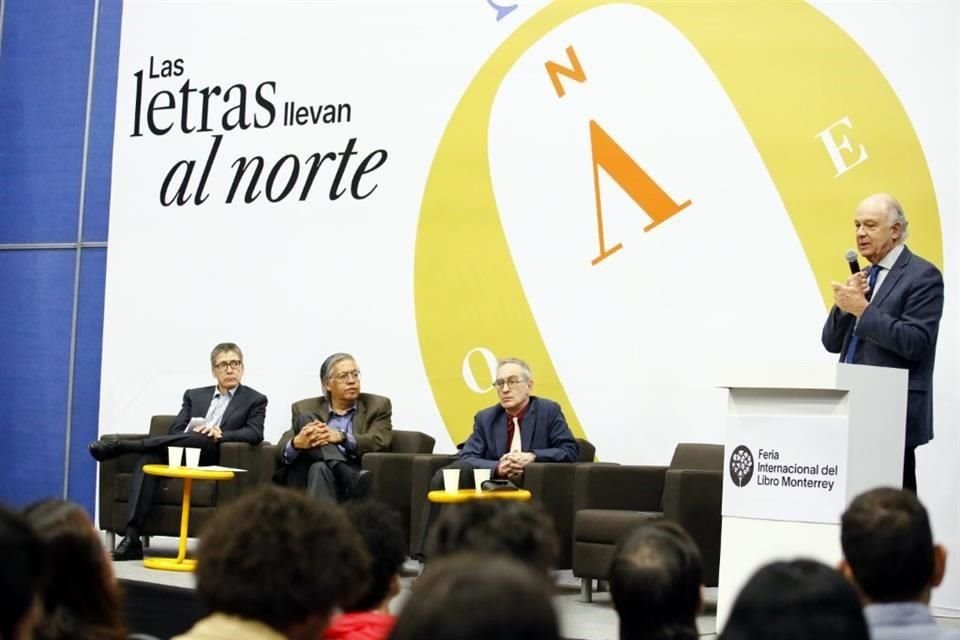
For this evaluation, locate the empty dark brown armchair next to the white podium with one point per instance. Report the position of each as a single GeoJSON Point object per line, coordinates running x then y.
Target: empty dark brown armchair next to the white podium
{"type": "Point", "coordinates": [610, 500]}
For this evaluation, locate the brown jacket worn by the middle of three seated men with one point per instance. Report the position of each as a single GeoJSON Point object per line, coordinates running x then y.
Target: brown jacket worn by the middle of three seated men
{"type": "Point", "coordinates": [371, 424]}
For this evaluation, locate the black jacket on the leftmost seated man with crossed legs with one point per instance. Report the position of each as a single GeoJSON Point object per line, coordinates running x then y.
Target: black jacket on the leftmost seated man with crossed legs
{"type": "Point", "coordinates": [242, 421]}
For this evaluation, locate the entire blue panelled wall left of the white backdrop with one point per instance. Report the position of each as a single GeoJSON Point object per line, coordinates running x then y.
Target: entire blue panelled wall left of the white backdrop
{"type": "Point", "coordinates": [45, 53]}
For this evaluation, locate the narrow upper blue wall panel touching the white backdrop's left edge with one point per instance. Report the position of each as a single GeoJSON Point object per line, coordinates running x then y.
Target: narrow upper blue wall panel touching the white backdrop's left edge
{"type": "Point", "coordinates": [103, 106]}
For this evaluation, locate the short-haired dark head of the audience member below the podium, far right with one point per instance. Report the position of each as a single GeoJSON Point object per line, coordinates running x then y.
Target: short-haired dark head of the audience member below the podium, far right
{"type": "Point", "coordinates": [888, 547]}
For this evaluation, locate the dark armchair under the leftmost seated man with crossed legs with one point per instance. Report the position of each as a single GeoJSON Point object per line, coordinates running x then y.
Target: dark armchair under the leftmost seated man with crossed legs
{"type": "Point", "coordinates": [164, 518]}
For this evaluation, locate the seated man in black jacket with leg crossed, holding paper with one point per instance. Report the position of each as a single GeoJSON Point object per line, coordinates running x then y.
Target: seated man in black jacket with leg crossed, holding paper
{"type": "Point", "coordinates": [225, 412]}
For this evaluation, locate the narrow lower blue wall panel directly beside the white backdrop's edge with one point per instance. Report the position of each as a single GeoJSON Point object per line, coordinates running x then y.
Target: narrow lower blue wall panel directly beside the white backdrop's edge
{"type": "Point", "coordinates": [86, 377]}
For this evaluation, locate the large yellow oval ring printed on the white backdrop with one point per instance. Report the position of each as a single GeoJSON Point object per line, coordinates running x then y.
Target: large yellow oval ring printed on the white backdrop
{"type": "Point", "coordinates": [791, 73]}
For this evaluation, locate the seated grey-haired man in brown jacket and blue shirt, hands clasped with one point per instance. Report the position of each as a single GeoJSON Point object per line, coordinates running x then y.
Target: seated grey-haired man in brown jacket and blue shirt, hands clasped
{"type": "Point", "coordinates": [329, 434]}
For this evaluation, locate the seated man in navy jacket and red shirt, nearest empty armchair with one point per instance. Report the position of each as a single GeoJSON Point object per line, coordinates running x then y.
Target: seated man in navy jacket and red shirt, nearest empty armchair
{"type": "Point", "coordinates": [508, 436]}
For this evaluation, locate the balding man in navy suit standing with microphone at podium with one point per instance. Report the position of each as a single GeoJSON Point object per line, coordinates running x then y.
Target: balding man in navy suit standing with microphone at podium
{"type": "Point", "coordinates": [888, 315]}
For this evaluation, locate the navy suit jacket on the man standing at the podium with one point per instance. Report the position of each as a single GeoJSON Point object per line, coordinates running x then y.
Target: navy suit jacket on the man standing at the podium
{"type": "Point", "coordinates": [899, 329]}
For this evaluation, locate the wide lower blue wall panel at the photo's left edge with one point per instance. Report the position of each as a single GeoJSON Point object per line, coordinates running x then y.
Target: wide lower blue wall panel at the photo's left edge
{"type": "Point", "coordinates": [36, 299]}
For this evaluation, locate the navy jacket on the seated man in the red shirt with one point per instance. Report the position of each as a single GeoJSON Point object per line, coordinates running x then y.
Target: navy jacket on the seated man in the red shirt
{"type": "Point", "coordinates": [544, 431]}
